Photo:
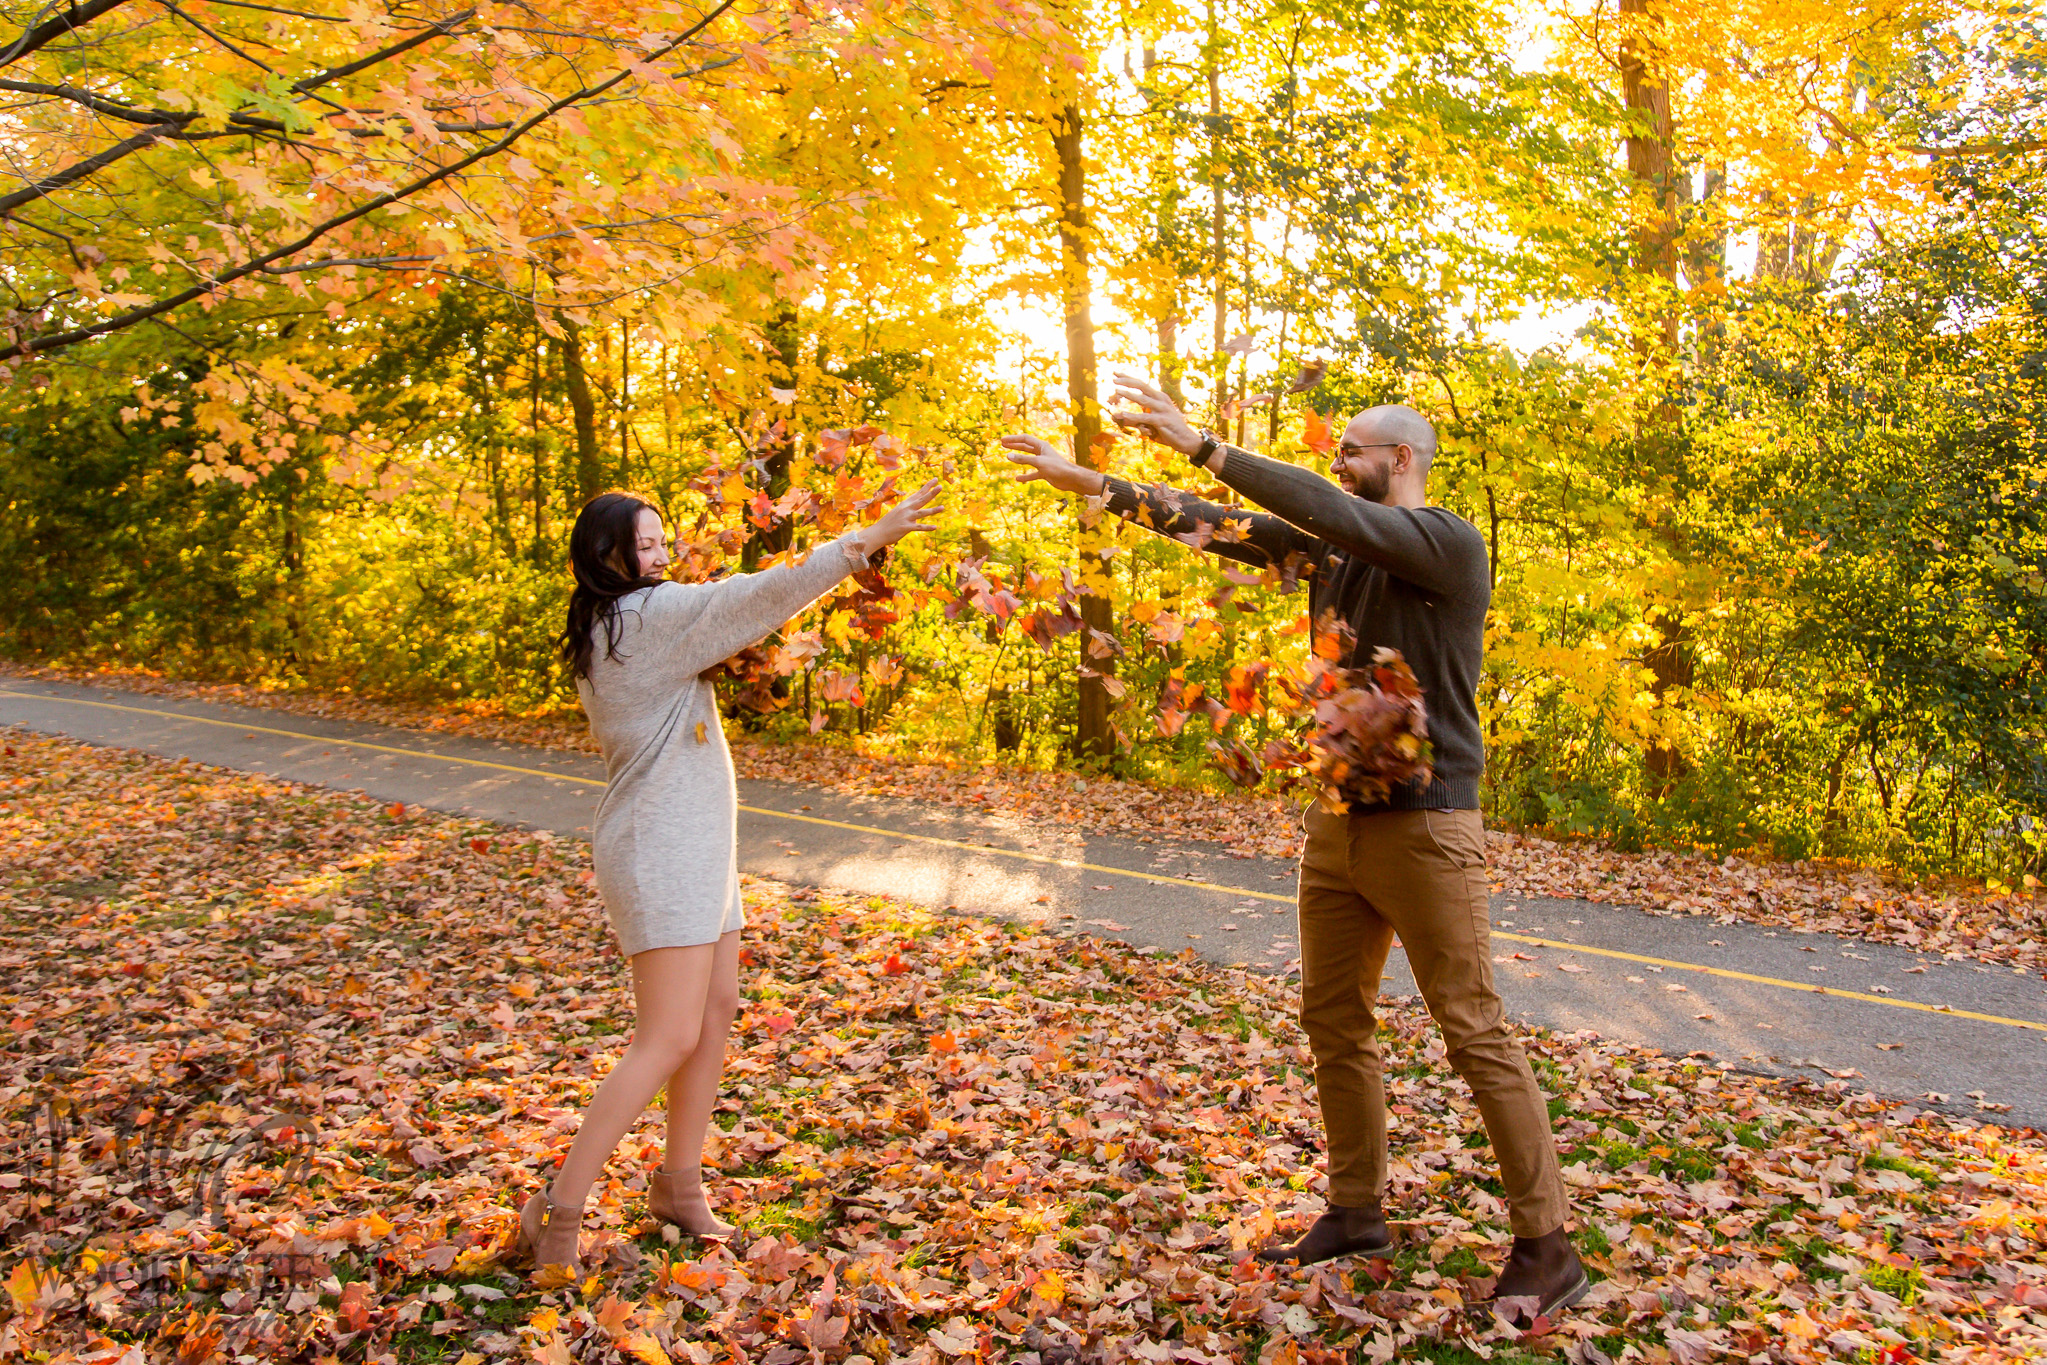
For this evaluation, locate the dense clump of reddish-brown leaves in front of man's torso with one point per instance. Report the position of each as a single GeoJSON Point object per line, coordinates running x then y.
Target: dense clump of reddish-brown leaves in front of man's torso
{"type": "Point", "coordinates": [1364, 732]}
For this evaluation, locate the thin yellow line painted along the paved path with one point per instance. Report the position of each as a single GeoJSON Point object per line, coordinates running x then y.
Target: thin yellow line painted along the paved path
{"type": "Point", "coordinates": [1063, 863]}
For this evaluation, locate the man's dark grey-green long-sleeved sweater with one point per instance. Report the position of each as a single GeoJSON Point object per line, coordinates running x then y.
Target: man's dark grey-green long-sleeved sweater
{"type": "Point", "coordinates": [1405, 578]}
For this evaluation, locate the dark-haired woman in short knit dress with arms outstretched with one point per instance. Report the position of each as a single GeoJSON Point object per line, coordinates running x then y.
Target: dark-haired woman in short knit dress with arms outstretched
{"type": "Point", "coordinates": [666, 830]}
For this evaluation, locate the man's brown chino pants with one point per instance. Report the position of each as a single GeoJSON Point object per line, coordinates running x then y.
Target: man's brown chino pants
{"type": "Point", "coordinates": [1420, 875]}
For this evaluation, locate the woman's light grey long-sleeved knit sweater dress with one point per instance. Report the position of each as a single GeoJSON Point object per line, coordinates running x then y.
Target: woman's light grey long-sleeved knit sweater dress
{"type": "Point", "coordinates": [668, 826]}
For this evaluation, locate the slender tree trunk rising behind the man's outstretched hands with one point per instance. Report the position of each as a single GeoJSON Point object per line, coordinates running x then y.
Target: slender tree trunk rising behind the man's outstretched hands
{"type": "Point", "coordinates": [1096, 738]}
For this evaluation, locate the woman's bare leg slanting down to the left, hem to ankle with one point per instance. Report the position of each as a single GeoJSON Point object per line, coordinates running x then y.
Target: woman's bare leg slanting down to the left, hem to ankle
{"type": "Point", "coordinates": [670, 987]}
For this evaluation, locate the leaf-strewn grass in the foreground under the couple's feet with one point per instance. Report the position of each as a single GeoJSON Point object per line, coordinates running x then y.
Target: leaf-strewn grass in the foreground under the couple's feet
{"type": "Point", "coordinates": [279, 1063]}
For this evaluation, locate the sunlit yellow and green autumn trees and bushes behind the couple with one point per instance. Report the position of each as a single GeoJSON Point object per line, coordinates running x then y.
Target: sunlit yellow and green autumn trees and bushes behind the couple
{"type": "Point", "coordinates": [320, 320]}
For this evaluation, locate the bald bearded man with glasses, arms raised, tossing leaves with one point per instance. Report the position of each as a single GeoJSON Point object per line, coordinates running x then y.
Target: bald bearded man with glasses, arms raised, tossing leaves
{"type": "Point", "coordinates": [1411, 578]}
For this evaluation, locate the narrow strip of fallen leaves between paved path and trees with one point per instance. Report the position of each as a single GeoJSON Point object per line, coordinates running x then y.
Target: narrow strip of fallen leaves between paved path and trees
{"type": "Point", "coordinates": [2009, 928]}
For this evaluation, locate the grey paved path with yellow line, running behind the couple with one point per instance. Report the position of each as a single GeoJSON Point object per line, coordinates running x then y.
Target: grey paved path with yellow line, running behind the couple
{"type": "Point", "coordinates": [1737, 992]}
